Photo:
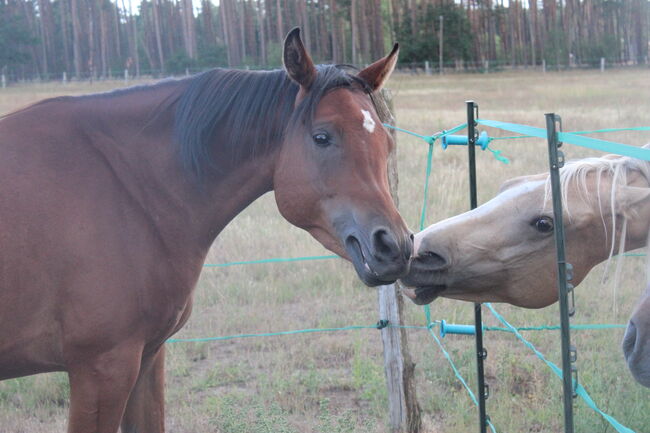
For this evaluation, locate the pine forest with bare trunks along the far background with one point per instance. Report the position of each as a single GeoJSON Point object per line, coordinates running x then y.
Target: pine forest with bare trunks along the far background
{"type": "Point", "coordinates": [43, 39]}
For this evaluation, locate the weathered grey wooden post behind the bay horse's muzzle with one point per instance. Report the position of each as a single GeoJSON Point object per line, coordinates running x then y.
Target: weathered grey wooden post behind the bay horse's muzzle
{"type": "Point", "coordinates": [404, 411]}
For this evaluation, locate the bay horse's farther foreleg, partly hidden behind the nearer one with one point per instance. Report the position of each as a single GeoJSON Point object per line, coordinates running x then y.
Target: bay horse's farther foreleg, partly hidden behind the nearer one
{"type": "Point", "coordinates": [145, 410]}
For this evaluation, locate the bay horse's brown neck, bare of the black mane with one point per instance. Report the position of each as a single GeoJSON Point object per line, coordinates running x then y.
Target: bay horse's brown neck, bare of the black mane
{"type": "Point", "coordinates": [188, 214]}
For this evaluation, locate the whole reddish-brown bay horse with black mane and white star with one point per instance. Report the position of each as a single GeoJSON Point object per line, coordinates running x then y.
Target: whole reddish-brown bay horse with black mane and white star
{"type": "Point", "coordinates": [111, 201]}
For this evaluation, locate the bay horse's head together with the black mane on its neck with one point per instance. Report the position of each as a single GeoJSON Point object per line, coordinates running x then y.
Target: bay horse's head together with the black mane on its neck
{"type": "Point", "coordinates": [315, 129]}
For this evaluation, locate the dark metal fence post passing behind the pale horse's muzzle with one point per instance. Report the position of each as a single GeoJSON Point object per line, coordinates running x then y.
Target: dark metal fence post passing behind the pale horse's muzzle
{"type": "Point", "coordinates": [481, 353]}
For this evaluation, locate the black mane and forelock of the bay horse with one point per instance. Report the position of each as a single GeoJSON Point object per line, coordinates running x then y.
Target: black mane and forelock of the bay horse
{"type": "Point", "coordinates": [225, 116]}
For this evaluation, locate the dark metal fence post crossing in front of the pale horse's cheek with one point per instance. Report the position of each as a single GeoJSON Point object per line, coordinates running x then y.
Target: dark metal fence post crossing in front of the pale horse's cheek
{"type": "Point", "coordinates": [564, 271]}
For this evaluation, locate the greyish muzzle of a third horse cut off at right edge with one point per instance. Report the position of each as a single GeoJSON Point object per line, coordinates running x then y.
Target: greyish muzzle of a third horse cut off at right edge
{"type": "Point", "coordinates": [636, 342]}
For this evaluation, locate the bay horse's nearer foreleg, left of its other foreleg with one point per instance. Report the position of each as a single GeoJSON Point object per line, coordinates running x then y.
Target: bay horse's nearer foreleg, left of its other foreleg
{"type": "Point", "coordinates": [99, 388]}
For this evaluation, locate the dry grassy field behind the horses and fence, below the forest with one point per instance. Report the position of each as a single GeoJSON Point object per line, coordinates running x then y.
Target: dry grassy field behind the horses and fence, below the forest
{"type": "Point", "coordinates": [334, 382]}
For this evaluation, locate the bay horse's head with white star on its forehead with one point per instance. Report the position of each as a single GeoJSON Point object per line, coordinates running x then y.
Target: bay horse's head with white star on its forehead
{"type": "Point", "coordinates": [331, 174]}
